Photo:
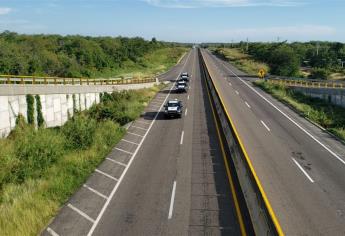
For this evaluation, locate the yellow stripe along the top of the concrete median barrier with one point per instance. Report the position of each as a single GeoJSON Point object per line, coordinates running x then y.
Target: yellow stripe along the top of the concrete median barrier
{"type": "Point", "coordinates": [263, 194]}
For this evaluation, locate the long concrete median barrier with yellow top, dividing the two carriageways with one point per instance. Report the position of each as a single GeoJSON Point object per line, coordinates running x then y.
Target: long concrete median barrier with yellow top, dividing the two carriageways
{"type": "Point", "coordinates": [262, 216]}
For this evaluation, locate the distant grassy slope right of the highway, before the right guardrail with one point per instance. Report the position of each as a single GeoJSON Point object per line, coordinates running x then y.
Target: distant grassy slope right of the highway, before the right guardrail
{"type": "Point", "coordinates": [241, 60]}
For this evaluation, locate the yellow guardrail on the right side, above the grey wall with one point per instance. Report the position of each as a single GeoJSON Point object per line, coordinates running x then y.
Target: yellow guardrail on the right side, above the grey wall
{"type": "Point", "coordinates": [307, 83]}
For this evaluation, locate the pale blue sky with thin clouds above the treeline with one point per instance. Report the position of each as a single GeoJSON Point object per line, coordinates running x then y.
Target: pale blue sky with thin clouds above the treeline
{"type": "Point", "coordinates": [193, 21]}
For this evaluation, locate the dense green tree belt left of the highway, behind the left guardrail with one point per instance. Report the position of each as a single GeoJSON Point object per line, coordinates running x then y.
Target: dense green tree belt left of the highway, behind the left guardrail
{"type": "Point", "coordinates": [78, 56]}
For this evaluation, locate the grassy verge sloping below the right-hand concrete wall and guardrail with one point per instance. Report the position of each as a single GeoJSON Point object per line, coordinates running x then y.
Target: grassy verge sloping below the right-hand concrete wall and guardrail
{"type": "Point", "coordinates": [329, 116]}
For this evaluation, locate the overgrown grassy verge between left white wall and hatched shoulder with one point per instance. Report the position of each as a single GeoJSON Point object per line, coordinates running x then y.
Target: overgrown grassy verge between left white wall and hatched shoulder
{"type": "Point", "coordinates": [41, 168]}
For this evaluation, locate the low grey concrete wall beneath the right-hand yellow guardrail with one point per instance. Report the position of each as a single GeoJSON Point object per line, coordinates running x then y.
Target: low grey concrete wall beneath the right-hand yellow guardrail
{"type": "Point", "coordinates": [335, 96]}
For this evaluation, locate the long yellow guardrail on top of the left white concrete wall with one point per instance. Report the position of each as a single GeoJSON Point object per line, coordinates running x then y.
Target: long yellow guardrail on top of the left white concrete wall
{"type": "Point", "coordinates": [14, 79]}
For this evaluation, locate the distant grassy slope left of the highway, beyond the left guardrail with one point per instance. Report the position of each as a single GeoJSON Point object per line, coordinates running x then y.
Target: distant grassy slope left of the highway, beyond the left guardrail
{"type": "Point", "coordinates": [149, 65]}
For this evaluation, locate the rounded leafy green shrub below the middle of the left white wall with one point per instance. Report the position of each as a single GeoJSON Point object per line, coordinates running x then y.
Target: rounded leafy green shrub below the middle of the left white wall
{"type": "Point", "coordinates": [79, 132]}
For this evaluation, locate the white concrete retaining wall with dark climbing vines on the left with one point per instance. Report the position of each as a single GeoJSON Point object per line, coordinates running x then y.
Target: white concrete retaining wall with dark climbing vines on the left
{"type": "Point", "coordinates": [57, 101]}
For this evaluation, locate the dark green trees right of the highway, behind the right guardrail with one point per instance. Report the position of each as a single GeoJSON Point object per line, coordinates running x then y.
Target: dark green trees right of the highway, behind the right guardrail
{"type": "Point", "coordinates": [322, 58]}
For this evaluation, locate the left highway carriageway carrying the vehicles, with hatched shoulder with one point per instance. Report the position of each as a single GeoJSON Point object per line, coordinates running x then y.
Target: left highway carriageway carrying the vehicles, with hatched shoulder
{"type": "Point", "coordinates": [165, 177]}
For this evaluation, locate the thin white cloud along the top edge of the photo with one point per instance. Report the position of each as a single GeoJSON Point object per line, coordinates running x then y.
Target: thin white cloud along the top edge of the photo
{"type": "Point", "coordinates": [222, 3]}
